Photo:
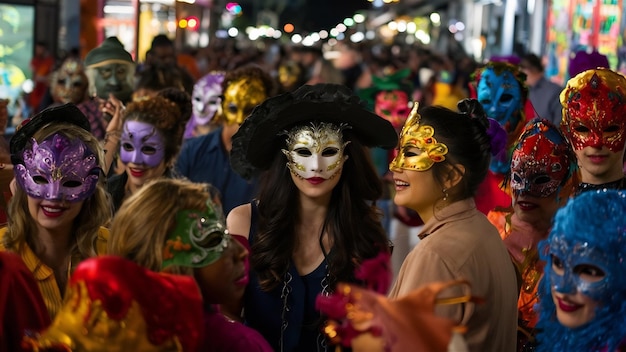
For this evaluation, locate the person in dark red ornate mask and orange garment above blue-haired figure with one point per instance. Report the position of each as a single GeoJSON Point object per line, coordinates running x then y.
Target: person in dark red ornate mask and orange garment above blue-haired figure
{"type": "Point", "coordinates": [544, 174]}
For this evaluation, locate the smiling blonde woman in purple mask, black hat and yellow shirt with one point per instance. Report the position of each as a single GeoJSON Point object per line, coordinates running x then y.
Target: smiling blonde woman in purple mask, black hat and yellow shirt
{"type": "Point", "coordinates": [60, 202]}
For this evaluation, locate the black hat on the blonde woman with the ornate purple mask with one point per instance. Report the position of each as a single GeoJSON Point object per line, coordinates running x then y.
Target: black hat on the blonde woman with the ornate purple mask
{"type": "Point", "coordinates": [67, 113]}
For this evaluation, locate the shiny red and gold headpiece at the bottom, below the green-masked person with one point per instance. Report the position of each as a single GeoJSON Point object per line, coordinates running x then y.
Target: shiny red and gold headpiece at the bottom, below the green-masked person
{"type": "Point", "coordinates": [170, 306]}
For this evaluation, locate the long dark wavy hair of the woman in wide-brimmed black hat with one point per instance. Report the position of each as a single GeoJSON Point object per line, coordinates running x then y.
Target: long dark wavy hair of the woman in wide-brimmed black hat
{"type": "Point", "coordinates": [352, 221]}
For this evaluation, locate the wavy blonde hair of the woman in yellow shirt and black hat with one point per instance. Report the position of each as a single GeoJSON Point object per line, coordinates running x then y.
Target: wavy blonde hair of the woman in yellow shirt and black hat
{"type": "Point", "coordinates": [95, 212]}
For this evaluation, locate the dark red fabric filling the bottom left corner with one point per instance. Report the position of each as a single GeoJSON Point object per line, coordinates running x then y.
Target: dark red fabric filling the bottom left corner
{"type": "Point", "coordinates": [21, 306]}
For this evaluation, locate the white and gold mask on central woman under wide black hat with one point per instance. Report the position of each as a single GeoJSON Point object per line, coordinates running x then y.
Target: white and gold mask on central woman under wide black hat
{"type": "Point", "coordinates": [315, 150]}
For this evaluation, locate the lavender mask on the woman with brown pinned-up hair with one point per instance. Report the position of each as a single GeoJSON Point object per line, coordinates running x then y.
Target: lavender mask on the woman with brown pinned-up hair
{"type": "Point", "coordinates": [141, 144]}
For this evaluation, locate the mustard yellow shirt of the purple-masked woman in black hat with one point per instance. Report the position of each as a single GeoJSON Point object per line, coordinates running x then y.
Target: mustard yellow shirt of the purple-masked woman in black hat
{"type": "Point", "coordinates": [44, 275]}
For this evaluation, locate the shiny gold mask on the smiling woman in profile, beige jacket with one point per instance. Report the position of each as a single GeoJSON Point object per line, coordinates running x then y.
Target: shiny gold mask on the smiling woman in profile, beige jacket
{"type": "Point", "coordinates": [417, 147]}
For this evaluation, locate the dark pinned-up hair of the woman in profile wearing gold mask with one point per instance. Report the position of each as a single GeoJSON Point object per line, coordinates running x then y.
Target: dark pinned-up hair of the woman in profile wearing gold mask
{"type": "Point", "coordinates": [469, 144]}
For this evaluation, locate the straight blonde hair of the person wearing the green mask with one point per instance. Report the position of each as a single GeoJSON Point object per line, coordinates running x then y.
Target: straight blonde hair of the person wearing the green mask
{"type": "Point", "coordinates": [141, 225]}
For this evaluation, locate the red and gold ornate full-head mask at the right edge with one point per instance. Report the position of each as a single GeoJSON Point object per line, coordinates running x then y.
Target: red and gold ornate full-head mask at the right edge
{"type": "Point", "coordinates": [595, 110]}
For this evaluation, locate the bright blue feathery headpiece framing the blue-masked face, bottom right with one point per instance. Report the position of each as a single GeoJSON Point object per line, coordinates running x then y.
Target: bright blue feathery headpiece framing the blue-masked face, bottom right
{"type": "Point", "coordinates": [591, 220]}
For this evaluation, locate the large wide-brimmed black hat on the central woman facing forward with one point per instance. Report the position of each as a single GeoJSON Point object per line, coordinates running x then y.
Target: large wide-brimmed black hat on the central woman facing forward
{"type": "Point", "coordinates": [260, 136]}
